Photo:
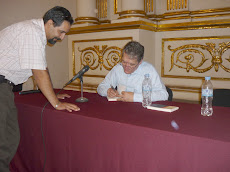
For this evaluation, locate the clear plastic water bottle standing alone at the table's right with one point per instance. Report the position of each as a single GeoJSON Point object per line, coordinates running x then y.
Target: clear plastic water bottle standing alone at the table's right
{"type": "Point", "coordinates": [207, 96]}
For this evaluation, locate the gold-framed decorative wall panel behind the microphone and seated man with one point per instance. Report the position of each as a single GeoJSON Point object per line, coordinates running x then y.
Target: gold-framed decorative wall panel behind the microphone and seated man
{"type": "Point", "coordinates": [101, 55]}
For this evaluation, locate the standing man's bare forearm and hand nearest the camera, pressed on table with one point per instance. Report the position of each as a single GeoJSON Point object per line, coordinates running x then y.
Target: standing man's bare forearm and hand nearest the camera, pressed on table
{"type": "Point", "coordinates": [43, 81]}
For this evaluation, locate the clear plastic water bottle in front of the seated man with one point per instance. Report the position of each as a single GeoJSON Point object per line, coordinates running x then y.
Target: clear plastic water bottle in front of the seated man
{"type": "Point", "coordinates": [146, 91]}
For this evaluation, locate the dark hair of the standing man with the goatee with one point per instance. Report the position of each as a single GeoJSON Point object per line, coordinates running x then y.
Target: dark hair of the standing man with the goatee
{"type": "Point", "coordinates": [58, 15]}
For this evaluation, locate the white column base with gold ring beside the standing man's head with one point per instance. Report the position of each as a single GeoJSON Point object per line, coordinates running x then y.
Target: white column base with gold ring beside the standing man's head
{"type": "Point", "coordinates": [86, 12]}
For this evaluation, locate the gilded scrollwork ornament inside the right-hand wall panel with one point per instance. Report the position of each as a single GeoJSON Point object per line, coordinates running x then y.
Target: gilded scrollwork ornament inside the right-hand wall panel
{"type": "Point", "coordinates": [186, 57]}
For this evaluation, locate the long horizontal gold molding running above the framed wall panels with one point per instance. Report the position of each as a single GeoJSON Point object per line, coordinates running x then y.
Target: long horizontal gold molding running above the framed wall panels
{"type": "Point", "coordinates": [152, 26]}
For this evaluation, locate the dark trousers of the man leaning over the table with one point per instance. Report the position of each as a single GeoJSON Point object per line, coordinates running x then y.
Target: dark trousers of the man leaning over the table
{"type": "Point", "coordinates": [9, 130]}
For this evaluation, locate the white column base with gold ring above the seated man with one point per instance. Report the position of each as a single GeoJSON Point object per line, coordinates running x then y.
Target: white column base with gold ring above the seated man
{"type": "Point", "coordinates": [132, 8]}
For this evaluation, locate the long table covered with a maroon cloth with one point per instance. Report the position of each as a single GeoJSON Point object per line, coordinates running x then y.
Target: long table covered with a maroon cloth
{"type": "Point", "coordinates": [120, 137]}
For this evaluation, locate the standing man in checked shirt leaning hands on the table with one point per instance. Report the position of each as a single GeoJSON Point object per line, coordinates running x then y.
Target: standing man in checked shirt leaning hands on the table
{"type": "Point", "coordinates": [22, 54]}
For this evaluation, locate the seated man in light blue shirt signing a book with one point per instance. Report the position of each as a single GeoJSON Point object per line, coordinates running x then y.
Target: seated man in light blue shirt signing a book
{"type": "Point", "coordinates": [128, 77]}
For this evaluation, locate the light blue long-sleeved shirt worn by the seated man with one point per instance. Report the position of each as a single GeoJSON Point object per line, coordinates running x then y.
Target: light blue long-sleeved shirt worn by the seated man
{"type": "Point", "coordinates": [133, 82]}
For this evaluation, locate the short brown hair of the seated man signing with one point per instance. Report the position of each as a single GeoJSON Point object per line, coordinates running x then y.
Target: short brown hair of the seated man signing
{"type": "Point", "coordinates": [134, 49]}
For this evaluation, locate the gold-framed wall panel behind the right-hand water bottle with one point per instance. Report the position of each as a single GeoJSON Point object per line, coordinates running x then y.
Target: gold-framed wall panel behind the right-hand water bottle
{"type": "Point", "coordinates": [196, 57]}
